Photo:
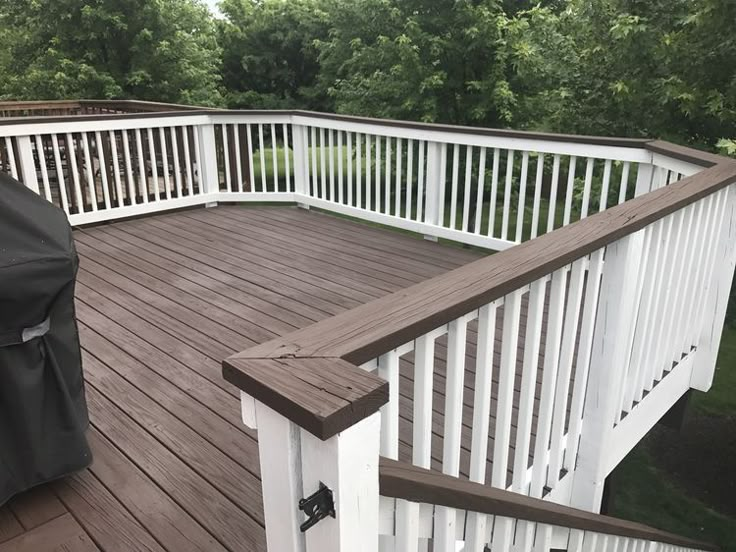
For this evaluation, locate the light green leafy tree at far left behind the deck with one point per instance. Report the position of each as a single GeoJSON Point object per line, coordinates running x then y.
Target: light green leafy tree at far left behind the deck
{"type": "Point", "coordinates": [163, 50]}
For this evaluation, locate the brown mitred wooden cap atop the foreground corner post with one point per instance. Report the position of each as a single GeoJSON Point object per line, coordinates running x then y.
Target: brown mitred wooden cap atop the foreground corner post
{"type": "Point", "coordinates": [323, 395]}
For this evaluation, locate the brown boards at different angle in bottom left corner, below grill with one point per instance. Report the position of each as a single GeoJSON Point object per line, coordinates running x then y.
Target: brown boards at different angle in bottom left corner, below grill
{"type": "Point", "coordinates": [62, 534]}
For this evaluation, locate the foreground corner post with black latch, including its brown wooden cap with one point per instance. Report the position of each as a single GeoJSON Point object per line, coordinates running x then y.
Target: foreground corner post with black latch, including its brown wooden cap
{"type": "Point", "coordinates": [319, 426]}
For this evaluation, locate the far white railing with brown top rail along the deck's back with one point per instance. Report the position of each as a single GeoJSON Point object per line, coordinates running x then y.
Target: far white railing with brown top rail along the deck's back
{"type": "Point", "coordinates": [478, 188]}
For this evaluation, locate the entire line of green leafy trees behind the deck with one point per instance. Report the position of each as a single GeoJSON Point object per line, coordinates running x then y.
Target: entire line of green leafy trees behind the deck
{"type": "Point", "coordinates": [664, 68]}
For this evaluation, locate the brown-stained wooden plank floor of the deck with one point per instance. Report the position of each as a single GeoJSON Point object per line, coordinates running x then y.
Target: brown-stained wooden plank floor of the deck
{"type": "Point", "coordinates": [160, 302]}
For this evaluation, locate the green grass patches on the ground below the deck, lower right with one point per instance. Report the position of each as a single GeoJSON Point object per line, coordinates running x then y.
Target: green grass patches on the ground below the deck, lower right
{"type": "Point", "coordinates": [644, 492]}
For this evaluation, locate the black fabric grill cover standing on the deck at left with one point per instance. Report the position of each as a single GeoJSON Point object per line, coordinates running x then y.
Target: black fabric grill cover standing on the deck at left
{"type": "Point", "coordinates": [43, 413]}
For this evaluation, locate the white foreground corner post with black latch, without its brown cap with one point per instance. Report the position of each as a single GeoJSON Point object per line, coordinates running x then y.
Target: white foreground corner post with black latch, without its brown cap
{"type": "Point", "coordinates": [294, 463]}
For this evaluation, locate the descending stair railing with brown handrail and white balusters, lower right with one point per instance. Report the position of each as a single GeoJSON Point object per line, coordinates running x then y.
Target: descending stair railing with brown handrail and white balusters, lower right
{"type": "Point", "coordinates": [521, 523]}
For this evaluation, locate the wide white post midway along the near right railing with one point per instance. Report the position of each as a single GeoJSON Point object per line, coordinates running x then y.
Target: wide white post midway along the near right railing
{"type": "Point", "coordinates": [609, 361]}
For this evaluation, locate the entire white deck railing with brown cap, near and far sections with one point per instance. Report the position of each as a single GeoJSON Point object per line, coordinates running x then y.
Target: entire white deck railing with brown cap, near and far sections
{"type": "Point", "coordinates": [534, 370]}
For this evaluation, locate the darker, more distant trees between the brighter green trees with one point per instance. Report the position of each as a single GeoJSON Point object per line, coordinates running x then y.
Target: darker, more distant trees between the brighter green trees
{"type": "Point", "coordinates": [269, 54]}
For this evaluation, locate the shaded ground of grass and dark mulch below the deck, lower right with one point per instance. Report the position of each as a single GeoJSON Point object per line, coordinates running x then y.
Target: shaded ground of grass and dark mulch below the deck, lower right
{"type": "Point", "coordinates": [656, 486]}
